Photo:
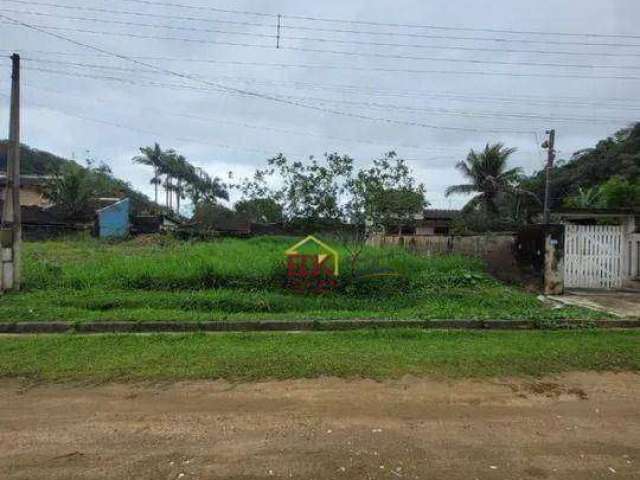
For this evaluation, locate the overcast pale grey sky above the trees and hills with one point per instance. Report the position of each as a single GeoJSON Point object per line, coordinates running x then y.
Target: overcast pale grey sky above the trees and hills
{"type": "Point", "coordinates": [364, 99]}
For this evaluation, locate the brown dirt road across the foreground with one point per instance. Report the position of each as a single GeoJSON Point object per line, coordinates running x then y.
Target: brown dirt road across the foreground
{"type": "Point", "coordinates": [578, 426]}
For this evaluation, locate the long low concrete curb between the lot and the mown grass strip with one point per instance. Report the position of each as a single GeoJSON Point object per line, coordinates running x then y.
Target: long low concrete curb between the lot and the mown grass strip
{"type": "Point", "coordinates": [299, 326]}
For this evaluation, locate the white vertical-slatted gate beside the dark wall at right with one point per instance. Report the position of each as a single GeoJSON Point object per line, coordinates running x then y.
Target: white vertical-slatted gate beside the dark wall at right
{"type": "Point", "coordinates": [593, 256]}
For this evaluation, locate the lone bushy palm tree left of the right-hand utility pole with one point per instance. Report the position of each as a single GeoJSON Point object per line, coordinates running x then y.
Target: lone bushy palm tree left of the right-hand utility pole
{"type": "Point", "coordinates": [488, 176]}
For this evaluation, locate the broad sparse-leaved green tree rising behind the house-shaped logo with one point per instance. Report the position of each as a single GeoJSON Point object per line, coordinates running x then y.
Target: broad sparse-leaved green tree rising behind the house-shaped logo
{"type": "Point", "coordinates": [329, 192]}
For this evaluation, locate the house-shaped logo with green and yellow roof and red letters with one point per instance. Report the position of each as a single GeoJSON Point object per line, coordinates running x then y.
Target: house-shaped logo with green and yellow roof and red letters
{"type": "Point", "coordinates": [313, 257]}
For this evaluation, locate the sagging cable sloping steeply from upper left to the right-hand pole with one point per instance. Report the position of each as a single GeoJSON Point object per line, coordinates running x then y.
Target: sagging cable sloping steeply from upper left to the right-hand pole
{"type": "Point", "coordinates": [252, 93]}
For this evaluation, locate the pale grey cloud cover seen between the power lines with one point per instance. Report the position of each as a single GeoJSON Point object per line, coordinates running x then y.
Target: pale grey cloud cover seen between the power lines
{"type": "Point", "coordinates": [219, 142]}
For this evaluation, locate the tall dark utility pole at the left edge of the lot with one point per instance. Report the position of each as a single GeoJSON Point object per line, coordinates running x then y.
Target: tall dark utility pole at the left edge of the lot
{"type": "Point", "coordinates": [11, 232]}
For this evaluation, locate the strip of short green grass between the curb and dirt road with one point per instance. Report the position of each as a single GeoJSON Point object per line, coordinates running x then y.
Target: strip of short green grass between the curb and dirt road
{"type": "Point", "coordinates": [373, 354]}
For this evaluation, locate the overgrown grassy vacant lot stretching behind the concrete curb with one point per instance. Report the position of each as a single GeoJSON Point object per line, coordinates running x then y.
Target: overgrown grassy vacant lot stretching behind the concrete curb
{"type": "Point", "coordinates": [153, 279]}
